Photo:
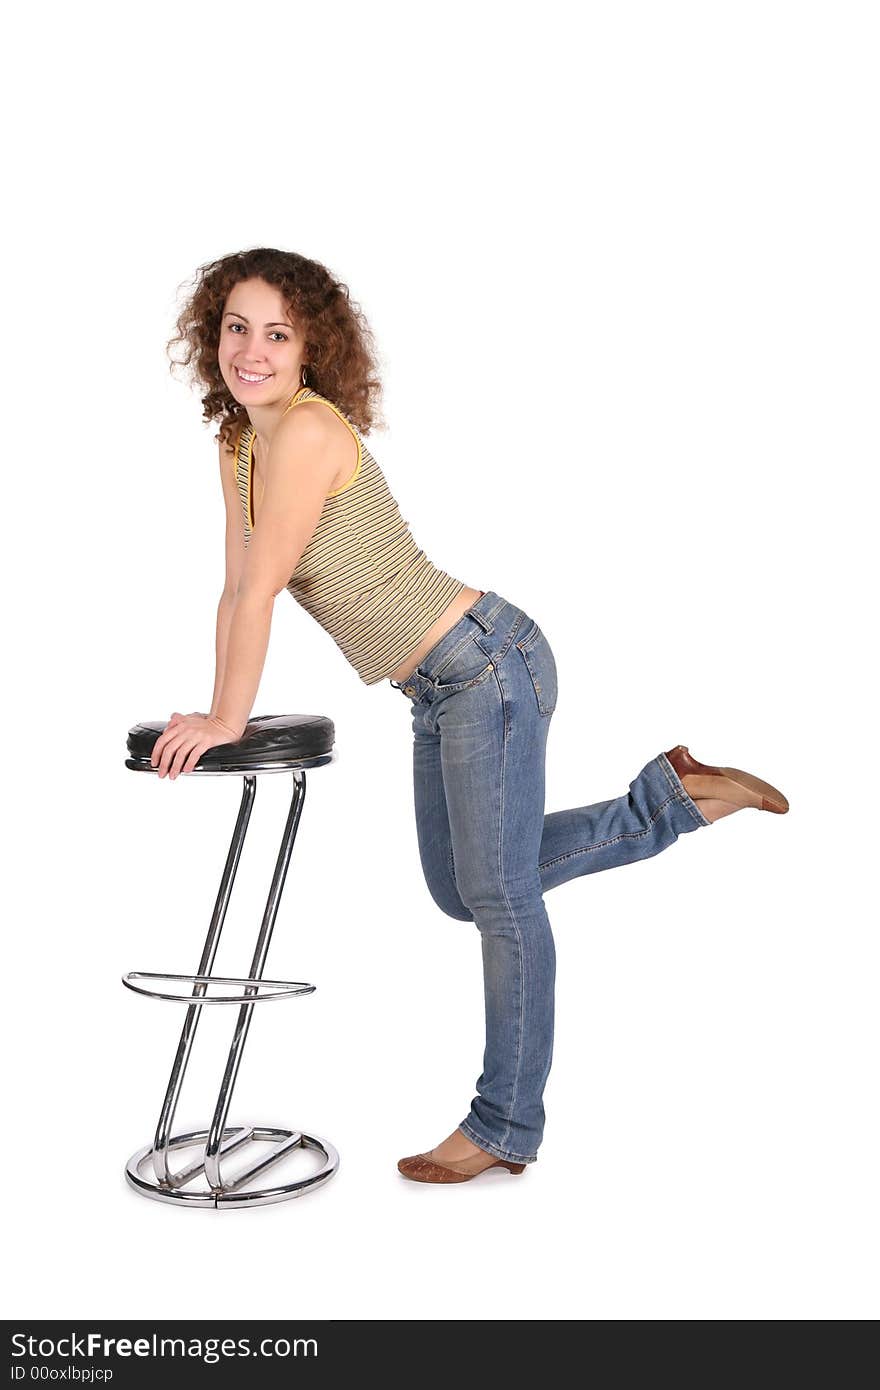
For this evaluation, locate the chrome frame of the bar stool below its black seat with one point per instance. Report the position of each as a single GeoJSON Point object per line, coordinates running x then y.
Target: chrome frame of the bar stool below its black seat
{"type": "Point", "coordinates": [222, 1139]}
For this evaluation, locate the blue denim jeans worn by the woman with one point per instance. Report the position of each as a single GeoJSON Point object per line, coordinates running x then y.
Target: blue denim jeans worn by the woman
{"type": "Point", "coordinates": [482, 703]}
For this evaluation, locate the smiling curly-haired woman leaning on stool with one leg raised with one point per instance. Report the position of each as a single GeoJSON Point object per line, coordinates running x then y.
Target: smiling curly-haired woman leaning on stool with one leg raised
{"type": "Point", "coordinates": [286, 363]}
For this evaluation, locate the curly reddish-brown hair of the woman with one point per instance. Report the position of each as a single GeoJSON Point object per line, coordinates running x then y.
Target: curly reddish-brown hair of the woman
{"type": "Point", "coordinates": [340, 344]}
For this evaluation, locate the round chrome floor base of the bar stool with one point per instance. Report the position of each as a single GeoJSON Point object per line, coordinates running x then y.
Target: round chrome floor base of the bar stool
{"type": "Point", "coordinates": [231, 1195]}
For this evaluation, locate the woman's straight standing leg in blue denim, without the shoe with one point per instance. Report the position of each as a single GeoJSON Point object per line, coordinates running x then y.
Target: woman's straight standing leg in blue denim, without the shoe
{"type": "Point", "coordinates": [493, 772]}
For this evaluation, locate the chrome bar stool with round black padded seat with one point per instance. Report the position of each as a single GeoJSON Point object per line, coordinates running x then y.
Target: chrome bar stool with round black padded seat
{"type": "Point", "coordinates": [270, 744]}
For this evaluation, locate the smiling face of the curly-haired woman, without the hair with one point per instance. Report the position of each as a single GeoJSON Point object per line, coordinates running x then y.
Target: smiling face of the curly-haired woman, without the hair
{"type": "Point", "coordinates": [261, 350]}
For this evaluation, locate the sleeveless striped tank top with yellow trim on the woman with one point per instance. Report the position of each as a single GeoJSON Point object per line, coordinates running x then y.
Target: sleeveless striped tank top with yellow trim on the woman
{"type": "Point", "coordinates": [362, 578]}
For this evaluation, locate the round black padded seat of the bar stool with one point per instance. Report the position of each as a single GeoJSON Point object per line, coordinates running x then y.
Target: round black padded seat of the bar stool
{"type": "Point", "coordinates": [269, 743]}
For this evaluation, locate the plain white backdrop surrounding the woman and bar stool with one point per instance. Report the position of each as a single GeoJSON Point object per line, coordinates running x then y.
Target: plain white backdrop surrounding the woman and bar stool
{"type": "Point", "coordinates": [622, 268]}
